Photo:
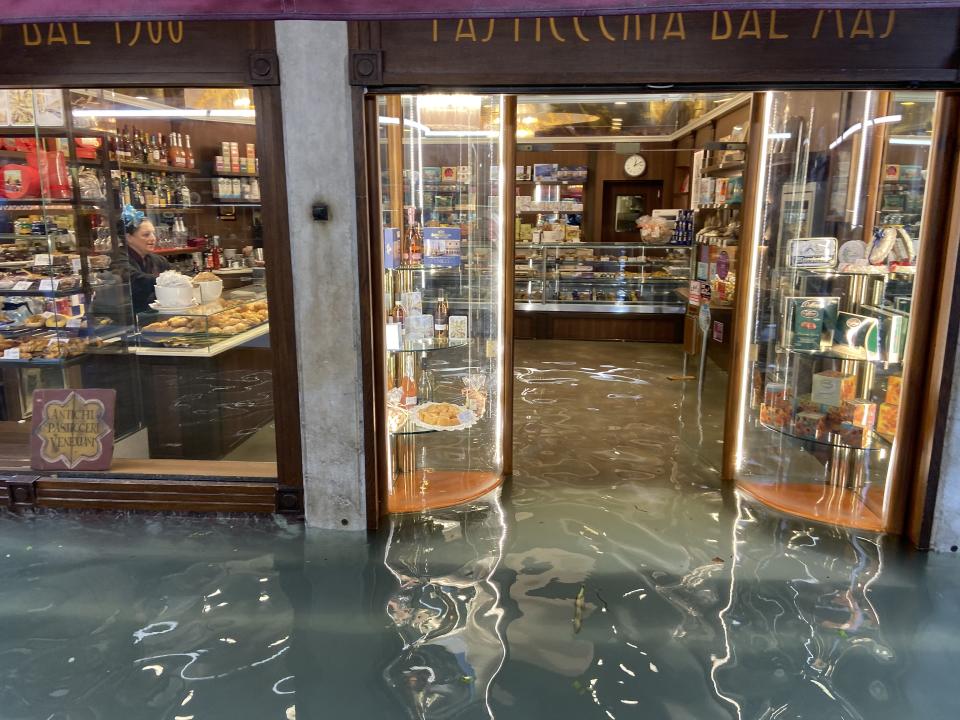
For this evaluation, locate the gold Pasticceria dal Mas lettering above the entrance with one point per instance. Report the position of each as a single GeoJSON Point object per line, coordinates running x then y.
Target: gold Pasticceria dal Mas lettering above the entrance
{"type": "Point", "coordinates": [727, 25]}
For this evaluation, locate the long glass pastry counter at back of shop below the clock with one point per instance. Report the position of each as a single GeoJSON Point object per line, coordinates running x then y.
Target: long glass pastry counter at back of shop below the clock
{"type": "Point", "coordinates": [601, 277]}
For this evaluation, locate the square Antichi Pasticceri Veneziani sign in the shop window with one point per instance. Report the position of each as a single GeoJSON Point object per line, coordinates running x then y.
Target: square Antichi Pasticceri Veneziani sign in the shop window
{"type": "Point", "coordinates": [72, 429]}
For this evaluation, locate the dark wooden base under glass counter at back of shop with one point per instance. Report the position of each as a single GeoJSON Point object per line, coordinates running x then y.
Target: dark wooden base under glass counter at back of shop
{"type": "Point", "coordinates": [532, 325]}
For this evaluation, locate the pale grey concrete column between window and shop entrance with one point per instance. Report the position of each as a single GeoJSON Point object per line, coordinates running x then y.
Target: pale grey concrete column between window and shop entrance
{"type": "Point", "coordinates": [319, 157]}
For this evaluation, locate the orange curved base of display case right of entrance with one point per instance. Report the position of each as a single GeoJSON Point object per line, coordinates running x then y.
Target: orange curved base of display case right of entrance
{"type": "Point", "coordinates": [819, 502]}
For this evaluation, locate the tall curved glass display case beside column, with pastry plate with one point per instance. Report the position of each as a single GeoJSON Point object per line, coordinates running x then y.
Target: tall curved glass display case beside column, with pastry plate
{"type": "Point", "coordinates": [442, 297]}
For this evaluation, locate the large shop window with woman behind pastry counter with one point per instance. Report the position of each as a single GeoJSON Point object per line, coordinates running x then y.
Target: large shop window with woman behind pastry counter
{"type": "Point", "coordinates": [132, 260]}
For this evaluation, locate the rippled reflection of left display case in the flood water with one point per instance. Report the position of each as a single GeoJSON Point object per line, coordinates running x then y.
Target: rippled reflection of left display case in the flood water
{"type": "Point", "coordinates": [446, 608]}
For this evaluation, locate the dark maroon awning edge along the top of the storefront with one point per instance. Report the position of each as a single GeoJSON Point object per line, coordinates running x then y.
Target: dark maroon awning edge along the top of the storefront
{"type": "Point", "coordinates": [18, 11]}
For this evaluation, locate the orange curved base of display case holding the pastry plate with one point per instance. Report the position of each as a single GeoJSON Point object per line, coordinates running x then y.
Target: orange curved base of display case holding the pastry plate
{"type": "Point", "coordinates": [434, 489]}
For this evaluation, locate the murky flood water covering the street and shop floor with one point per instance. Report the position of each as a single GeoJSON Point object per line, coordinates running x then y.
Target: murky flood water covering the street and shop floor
{"type": "Point", "coordinates": [612, 577]}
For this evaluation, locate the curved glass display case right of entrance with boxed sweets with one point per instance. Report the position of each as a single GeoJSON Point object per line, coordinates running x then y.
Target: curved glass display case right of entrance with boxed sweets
{"type": "Point", "coordinates": [829, 310]}
